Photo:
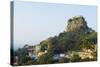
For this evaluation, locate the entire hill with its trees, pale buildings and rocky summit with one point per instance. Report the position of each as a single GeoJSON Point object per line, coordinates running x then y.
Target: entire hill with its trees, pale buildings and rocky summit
{"type": "Point", "coordinates": [76, 44]}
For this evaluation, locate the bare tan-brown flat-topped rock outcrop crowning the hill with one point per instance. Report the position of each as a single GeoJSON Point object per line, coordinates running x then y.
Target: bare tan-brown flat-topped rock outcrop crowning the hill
{"type": "Point", "coordinates": [77, 23]}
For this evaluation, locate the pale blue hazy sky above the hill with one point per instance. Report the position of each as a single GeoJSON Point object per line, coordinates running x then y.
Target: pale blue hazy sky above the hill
{"type": "Point", "coordinates": [34, 22]}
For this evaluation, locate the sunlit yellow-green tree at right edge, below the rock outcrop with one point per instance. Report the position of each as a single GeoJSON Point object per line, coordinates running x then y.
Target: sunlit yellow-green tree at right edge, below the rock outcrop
{"type": "Point", "coordinates": [88, 40]}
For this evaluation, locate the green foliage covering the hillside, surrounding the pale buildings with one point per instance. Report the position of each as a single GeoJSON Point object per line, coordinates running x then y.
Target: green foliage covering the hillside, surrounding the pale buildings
{"type": "Point", "coordinates": [66, 41]}
